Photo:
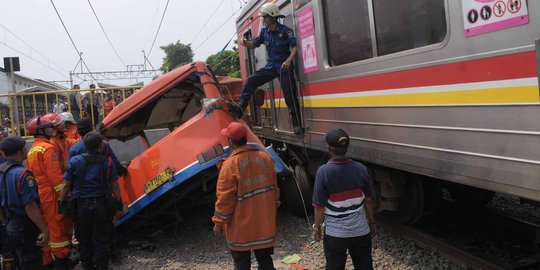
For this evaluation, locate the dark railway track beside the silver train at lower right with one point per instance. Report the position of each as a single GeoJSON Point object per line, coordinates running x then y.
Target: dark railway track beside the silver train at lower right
{"type": "Point", "coordinates": [512, 250]}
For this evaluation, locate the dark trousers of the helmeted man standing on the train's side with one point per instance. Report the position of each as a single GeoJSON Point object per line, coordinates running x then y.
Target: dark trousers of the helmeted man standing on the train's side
{"type": "Point", "coordinates": [288, 84]}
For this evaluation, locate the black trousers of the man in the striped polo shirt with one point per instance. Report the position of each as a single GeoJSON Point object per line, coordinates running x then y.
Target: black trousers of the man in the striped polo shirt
{"type": "Point", "coordinates": [335, 251]}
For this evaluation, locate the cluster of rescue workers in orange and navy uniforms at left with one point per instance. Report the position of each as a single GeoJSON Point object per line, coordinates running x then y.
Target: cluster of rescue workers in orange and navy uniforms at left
{"type": "Point", "coordinates": [67, 195]}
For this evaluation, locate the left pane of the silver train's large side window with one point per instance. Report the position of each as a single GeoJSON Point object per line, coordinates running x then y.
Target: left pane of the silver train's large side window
{"type": "Point", "coordinates": [347, 31]}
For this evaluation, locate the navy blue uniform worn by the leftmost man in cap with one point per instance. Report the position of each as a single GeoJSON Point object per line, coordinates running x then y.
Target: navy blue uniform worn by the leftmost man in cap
{"type": "Point", "coordinates": [18, 190]}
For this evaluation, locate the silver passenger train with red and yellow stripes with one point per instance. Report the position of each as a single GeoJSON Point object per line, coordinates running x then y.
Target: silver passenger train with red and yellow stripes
{"type": "Point", "coordinates": [437, 95]}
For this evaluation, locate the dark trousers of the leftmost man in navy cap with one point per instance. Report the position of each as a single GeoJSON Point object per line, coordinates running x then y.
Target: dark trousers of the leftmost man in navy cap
{"type": "Point", "coordinates": [21, 234]}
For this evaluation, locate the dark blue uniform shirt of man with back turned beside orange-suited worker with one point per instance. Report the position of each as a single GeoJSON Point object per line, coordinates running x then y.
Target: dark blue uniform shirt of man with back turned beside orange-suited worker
{"type": "Point", "coordinates": [87, 178]}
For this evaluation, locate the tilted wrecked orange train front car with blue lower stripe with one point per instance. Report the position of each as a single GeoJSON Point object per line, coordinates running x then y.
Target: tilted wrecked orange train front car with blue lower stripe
{"type": "Point", "coordinates": [169, 132]}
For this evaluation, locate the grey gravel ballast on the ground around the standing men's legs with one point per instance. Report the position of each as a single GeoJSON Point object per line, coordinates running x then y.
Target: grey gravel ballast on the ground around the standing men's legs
{"type": "Point", "coordinates": [195, 247]}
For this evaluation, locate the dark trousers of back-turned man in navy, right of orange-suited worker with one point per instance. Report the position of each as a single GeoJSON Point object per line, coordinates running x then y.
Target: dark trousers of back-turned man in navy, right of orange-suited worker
{"type": "Point", "coordinates": [93, 230]}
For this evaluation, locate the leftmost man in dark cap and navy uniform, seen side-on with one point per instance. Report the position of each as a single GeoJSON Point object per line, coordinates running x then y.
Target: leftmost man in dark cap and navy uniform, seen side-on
{"type": "Point", "coordinates": [20, 208]}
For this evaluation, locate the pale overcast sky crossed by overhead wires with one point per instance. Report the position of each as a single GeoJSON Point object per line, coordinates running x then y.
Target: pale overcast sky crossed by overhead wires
{"type": "Point", "coordinates": [130, 24]}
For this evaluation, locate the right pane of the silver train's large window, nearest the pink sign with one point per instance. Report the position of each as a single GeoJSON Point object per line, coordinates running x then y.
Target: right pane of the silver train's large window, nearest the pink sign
{"type": "Point", "coordinates": [407, 24]}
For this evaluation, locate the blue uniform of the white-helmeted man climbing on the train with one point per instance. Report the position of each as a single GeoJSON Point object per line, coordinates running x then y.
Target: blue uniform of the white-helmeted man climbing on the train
{"type": "Point", "coordinates": [278, 44]}
